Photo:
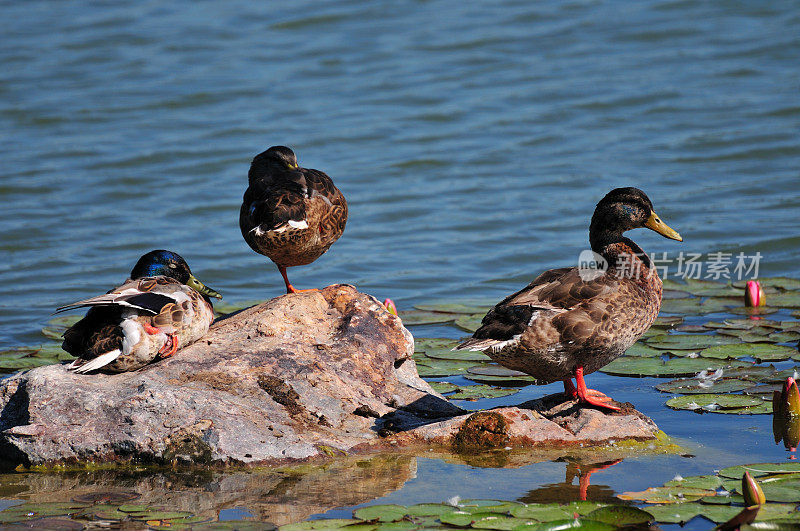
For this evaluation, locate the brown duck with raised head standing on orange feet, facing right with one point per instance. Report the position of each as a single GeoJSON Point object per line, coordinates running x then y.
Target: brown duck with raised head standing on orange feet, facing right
{"type": "Point", "coordinates": [570, 322]}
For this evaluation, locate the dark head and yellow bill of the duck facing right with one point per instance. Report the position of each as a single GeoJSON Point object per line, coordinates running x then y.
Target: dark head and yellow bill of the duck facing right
{"type": "Point", "coordinates": [623, 209]}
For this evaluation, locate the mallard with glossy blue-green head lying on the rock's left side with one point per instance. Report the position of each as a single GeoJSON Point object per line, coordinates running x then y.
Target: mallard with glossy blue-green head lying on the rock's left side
{"type": "Point", "coordinates": [160, 308]}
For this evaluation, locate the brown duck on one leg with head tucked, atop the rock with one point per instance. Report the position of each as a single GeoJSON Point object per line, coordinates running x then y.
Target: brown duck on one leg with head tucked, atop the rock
{"type": "Point", "coordinates": [290, 214]}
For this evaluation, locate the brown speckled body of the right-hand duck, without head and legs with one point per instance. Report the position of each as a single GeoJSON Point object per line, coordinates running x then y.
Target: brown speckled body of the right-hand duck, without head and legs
{"type": "Point", "coordinates": [560, 321]}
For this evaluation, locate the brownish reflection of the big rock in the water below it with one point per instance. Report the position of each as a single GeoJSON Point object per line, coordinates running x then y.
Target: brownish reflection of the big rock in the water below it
{"type": "Point", "coordinates": [279, 496]}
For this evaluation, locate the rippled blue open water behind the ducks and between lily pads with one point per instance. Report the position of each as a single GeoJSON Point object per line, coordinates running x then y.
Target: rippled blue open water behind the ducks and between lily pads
{"type": "Point", "coordinates": [472, 140]}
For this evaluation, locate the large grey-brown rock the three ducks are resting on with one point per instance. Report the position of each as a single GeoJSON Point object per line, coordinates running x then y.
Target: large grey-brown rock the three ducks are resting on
{"type": "Point", "coordinates": [313, 374]}
